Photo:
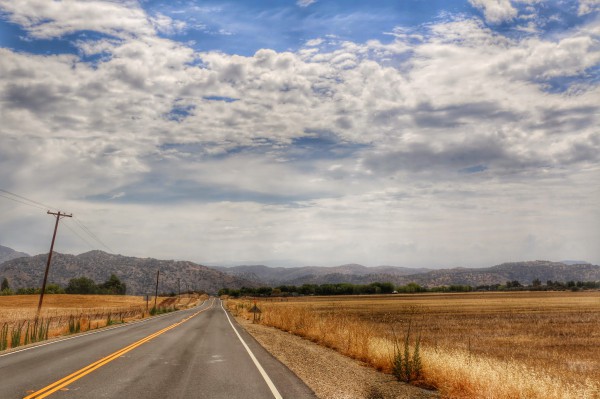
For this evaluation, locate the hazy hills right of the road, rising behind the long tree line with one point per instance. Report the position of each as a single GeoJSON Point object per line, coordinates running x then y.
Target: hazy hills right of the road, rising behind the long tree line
{"type": "Point", "coordinates": [524, 272]}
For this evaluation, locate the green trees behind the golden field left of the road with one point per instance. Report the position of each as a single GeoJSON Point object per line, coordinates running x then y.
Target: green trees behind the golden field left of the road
{"type": "Point", "coordinates": [80, 285]}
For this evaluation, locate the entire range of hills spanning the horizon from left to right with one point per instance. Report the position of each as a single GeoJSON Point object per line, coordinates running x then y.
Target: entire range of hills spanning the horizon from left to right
{"type": "Point", "coordinates": [140, 273]}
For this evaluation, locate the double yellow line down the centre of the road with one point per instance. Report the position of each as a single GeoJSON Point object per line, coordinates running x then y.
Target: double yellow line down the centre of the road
{"type": "Point", "coordinates": [50, 389]}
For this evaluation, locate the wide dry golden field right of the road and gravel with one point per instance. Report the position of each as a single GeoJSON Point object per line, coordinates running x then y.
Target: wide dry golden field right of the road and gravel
{"type": "Point", "coordinates": [473, 345]}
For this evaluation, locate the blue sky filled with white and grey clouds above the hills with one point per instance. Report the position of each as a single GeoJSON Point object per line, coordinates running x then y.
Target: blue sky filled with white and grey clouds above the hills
{"type": "Point", "coordinates": [312, 132]}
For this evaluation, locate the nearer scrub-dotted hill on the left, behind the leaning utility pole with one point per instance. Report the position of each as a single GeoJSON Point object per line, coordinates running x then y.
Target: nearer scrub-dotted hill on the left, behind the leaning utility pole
{"type": "Point", "coordinates": [138, 273]}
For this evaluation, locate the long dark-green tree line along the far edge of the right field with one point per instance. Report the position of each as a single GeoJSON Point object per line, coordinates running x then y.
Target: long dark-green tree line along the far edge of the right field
{"type": "Point", "coordinates": [410, 288]}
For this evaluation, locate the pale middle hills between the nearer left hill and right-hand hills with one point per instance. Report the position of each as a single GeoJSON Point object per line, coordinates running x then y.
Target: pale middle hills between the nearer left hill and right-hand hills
{"type": "Point", "coordinates": [315, 274]}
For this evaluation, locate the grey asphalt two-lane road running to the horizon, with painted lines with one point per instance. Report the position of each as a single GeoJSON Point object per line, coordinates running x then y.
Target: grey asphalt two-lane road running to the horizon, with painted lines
{"type": "Point", "coordinates": [196, 353]}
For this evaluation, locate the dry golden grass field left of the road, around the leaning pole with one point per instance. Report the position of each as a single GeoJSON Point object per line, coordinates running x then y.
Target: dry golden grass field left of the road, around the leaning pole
{"type": "Point", "coordinates": [65, 314]}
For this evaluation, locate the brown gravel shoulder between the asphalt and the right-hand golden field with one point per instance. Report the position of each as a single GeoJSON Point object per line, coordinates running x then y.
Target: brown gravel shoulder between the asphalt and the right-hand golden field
{"type": "Point", "coordinates": [328, 373]}
